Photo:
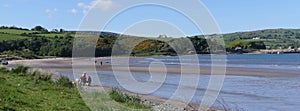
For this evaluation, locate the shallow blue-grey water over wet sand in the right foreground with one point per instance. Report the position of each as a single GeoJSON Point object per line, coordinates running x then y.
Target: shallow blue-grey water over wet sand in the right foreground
{"type": "Point", "coordinates": [238, 92]}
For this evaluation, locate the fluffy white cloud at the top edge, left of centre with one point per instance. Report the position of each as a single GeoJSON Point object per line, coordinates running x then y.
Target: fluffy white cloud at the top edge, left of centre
{"type": "Point", "coordinates": [104, 5]}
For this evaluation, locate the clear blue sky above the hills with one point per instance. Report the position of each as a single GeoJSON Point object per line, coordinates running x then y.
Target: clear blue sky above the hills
{"type": "Point", "coordinates": [231, 15]}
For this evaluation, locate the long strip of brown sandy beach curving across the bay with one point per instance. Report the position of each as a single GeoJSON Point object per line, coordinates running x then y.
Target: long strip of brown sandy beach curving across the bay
{"type": "Point", "coordinates": [66, 65]}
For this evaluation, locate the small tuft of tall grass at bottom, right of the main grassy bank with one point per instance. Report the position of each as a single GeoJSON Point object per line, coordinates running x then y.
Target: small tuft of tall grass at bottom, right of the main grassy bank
{"type": "Point", "coordinates": [130, 101]}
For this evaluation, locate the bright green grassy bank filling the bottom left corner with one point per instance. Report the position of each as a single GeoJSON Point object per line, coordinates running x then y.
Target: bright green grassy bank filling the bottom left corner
{"type": "Point", "coordinates": [31, 91]}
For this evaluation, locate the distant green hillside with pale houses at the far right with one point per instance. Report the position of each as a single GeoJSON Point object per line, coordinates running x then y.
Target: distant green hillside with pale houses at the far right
{"type": "Point", "coordinates": [274, 38]}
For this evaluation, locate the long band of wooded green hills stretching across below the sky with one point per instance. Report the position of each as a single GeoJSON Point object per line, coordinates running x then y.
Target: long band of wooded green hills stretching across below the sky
{"type": "Point", "coordinates": [38, 42]}
